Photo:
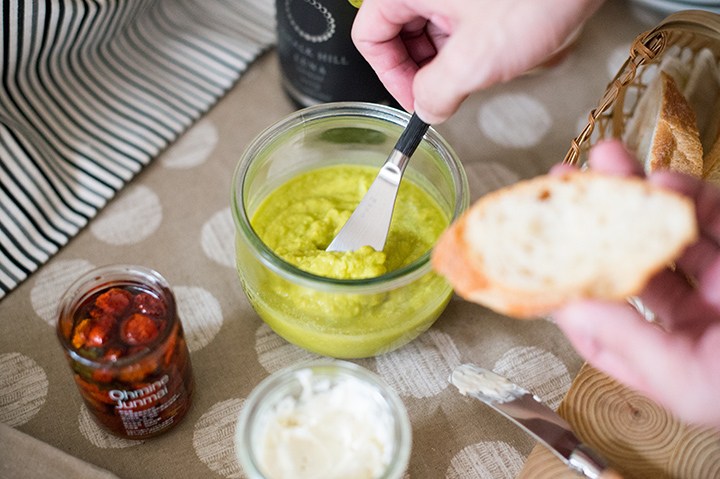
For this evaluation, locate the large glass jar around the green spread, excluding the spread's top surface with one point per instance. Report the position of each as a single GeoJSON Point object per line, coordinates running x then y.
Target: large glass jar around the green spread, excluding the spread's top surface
{"type": "Point", "coordinates": [341, 318]}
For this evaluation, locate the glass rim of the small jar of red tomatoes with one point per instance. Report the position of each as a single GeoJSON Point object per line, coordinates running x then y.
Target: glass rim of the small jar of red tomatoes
{"type": "Point", "coordinates": [107, 276]}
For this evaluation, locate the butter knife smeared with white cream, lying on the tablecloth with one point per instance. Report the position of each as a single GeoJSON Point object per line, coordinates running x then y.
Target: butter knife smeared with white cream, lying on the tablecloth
{"type": "Point", "coordinates": [527, 411]}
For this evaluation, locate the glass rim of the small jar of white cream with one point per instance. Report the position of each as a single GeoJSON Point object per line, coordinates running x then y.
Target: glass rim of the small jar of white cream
{"type": "Point", "coordinates": [341, 368]}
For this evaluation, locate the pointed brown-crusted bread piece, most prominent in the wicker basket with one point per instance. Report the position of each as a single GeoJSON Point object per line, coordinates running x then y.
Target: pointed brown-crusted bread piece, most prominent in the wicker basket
{"type": "Point", "coordinates": [664, 133]}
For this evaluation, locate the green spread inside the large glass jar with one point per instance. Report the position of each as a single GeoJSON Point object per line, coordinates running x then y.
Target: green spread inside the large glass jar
{"type": "Point", "coordinates": [298, 220]}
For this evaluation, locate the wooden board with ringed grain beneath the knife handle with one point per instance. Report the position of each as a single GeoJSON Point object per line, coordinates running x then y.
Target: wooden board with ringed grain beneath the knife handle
{"type": "Point", "coordinates": [639, 438]}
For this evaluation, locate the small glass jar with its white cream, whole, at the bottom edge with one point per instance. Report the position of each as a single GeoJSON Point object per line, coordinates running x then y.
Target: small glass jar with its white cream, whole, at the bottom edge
{"type": "Point", "coordinates": [329, 419]}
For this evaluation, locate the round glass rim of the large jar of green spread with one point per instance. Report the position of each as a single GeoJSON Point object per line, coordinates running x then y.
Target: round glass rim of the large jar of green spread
{"type": "Point", "coordinates": [278, 265]}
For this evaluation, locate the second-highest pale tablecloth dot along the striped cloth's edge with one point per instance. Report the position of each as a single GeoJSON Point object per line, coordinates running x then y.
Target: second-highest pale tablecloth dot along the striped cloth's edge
{"type": "Point", "coordinates": [130, 219]}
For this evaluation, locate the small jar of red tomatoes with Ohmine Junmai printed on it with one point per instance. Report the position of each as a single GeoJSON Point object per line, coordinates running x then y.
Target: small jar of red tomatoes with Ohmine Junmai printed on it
{"type": "Point", "coordinates": [121, 334]}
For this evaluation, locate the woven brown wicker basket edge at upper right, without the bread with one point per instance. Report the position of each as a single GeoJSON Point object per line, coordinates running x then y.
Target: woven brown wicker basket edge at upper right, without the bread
{"type": "Point", "coordinates": [688, 31]}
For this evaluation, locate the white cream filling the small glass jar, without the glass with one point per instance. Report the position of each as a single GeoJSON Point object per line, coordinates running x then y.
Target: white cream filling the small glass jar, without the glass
{"type": "Point", "coordinates": [340, 429]}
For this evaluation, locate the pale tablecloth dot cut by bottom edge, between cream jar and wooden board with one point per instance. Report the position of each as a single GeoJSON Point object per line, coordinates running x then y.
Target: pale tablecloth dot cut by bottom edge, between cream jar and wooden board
{"type": "Point", "coordinates": [492, 459]}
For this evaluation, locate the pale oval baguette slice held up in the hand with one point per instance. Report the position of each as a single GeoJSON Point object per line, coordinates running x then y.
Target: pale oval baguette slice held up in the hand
{"type": "Point", "coordinates": [529, 248]}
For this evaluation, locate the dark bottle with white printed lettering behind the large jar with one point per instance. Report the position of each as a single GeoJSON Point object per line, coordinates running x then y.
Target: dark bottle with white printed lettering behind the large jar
{"type": "Point", "coordinates": [318, 60]}
